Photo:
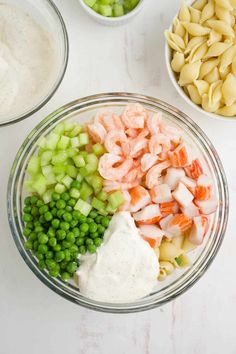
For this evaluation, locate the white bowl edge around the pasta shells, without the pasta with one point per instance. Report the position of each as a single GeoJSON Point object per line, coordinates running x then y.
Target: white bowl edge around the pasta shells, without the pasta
{"type": "Point", "coordinates": [168, 53]}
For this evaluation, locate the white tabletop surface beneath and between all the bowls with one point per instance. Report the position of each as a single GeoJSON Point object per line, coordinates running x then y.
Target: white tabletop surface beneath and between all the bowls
{"type": "Point", "coordinates": [33, 320]}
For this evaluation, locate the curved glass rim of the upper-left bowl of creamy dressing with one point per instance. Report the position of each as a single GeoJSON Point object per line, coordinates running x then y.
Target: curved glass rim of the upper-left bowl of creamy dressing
{"type": "Point", "coordinates": [59, 77]}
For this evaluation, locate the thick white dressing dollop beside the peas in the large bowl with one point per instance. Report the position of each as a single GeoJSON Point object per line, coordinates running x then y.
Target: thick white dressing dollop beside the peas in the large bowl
{"type": "Point", "coordinates": [124, 268]}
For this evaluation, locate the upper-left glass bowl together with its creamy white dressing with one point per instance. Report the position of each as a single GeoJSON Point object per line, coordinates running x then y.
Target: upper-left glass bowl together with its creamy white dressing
{"type": "Point", "coordinates": [33, 56]}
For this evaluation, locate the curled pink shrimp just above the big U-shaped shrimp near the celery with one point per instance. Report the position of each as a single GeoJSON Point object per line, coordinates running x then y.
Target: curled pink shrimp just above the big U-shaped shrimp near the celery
{"type": "Point", "coordinates": [114, 141]}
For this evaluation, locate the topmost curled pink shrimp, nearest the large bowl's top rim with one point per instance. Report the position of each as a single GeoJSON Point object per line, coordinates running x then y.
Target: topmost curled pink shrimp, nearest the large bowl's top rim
{"type": "Point", "coordinates": [134, 116]}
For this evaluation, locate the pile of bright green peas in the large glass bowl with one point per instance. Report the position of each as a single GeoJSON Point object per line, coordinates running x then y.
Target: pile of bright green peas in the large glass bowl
{"type": "Point", "coordinates": [57, 234]}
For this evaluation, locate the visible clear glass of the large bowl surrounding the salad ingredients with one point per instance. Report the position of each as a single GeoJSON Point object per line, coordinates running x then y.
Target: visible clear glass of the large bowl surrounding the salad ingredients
{"type": "Point", "coordinates": [83, 110]}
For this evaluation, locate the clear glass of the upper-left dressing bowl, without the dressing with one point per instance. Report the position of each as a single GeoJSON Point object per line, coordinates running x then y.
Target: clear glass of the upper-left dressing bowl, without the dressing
{"type": "Point", "coordinates": [48, 16]}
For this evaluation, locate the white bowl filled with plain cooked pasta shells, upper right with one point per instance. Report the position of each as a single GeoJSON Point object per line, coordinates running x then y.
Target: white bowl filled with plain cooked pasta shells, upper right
{"type": "Point", "coordinates": [201, 55]}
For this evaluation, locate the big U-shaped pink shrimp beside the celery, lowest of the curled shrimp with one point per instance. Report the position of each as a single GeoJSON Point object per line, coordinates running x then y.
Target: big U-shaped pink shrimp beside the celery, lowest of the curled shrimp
{"type": "Point", "coordinates": [108, 171]}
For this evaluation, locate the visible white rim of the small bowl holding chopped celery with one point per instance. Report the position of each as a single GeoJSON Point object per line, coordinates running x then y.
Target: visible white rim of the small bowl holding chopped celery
{"type": "Point", "coordinates": [112, 21]}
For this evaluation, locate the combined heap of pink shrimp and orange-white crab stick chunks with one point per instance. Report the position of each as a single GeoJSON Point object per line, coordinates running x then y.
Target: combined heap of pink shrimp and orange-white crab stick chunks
{"type": "Point", "coordinates": [164, 188]}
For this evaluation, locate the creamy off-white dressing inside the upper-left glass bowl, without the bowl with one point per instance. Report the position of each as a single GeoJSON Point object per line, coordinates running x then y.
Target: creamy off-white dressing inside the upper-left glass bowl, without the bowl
{"type": "Point", "coordinates": [27, 61]}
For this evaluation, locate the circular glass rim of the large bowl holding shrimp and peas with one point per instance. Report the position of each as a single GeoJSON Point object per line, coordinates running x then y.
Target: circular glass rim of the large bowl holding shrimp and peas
{"type": "Point", "coordinates": [138, 306]}
